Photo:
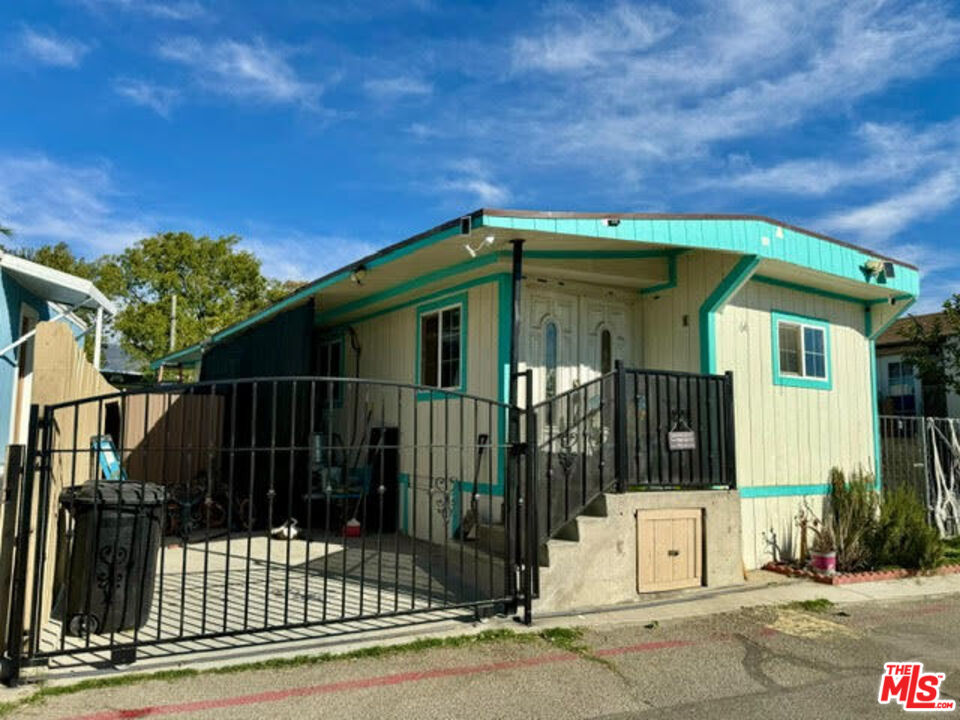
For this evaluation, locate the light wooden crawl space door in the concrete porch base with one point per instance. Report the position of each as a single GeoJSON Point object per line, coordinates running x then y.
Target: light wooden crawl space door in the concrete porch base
{"type": "Point", "coordinates": [669, 549]}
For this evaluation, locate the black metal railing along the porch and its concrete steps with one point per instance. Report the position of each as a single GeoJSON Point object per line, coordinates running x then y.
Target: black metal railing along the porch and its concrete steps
{"type": "Point", "coordinates": [632, 429]}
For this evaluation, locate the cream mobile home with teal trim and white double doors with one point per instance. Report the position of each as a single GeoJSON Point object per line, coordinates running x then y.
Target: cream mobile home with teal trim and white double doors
{"type": "Point", "coordinates": [792, 314]}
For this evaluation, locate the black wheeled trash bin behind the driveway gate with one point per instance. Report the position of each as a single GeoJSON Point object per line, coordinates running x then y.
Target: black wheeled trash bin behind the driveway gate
{"type": "Point", "coordinates": [112, 557]}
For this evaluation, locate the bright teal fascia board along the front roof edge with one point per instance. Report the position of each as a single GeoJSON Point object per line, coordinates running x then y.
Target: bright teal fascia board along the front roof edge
{"type": "Point", "coordinates": [752, 236]}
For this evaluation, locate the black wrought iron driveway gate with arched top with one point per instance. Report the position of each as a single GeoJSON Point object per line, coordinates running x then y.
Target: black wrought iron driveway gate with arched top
{"type": "Point", "coordinates": [248, 511]}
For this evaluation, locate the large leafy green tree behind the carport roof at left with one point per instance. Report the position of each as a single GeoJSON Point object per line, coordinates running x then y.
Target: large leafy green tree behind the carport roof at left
{"type": "Point", "coordinates": [215, 283]}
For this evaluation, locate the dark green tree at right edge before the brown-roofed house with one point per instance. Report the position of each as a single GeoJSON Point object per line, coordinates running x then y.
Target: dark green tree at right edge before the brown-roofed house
{"type": "Point", "coordinates": [934, 355]}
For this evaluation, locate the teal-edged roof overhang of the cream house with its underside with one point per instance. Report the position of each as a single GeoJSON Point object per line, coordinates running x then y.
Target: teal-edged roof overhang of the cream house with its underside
{"type": "Point", "coordinates": [595, 243]}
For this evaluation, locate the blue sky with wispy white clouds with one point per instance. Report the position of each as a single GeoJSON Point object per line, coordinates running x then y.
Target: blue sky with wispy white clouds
{"type": "Point", "coordinates": [322, 131]}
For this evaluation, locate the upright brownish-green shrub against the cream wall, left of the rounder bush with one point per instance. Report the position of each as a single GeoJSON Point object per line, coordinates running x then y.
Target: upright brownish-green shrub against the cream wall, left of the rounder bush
{"type": "Point", "coordinates": [852, 515]}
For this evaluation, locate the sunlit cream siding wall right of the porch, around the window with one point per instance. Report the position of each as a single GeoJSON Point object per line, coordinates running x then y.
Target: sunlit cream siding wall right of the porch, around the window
{"type": "Point", "coordinates": [790, 436]}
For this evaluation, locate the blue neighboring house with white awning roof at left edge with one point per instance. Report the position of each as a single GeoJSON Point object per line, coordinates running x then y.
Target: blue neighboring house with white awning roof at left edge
{"type": "Point", "coordinates": [33, 293]}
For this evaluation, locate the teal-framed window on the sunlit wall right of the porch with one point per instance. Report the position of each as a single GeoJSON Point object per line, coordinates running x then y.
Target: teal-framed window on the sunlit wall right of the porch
{"type": "Point", "coordinates": [801, 356]}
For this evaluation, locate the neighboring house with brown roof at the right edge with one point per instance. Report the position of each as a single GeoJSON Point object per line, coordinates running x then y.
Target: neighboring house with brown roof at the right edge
{"type": "Point", "coordinates": [901, 391]}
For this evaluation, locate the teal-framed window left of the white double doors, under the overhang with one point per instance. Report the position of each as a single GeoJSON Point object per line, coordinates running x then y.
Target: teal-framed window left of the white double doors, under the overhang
{"type": "Point", "coordinates": [442, 346]}
